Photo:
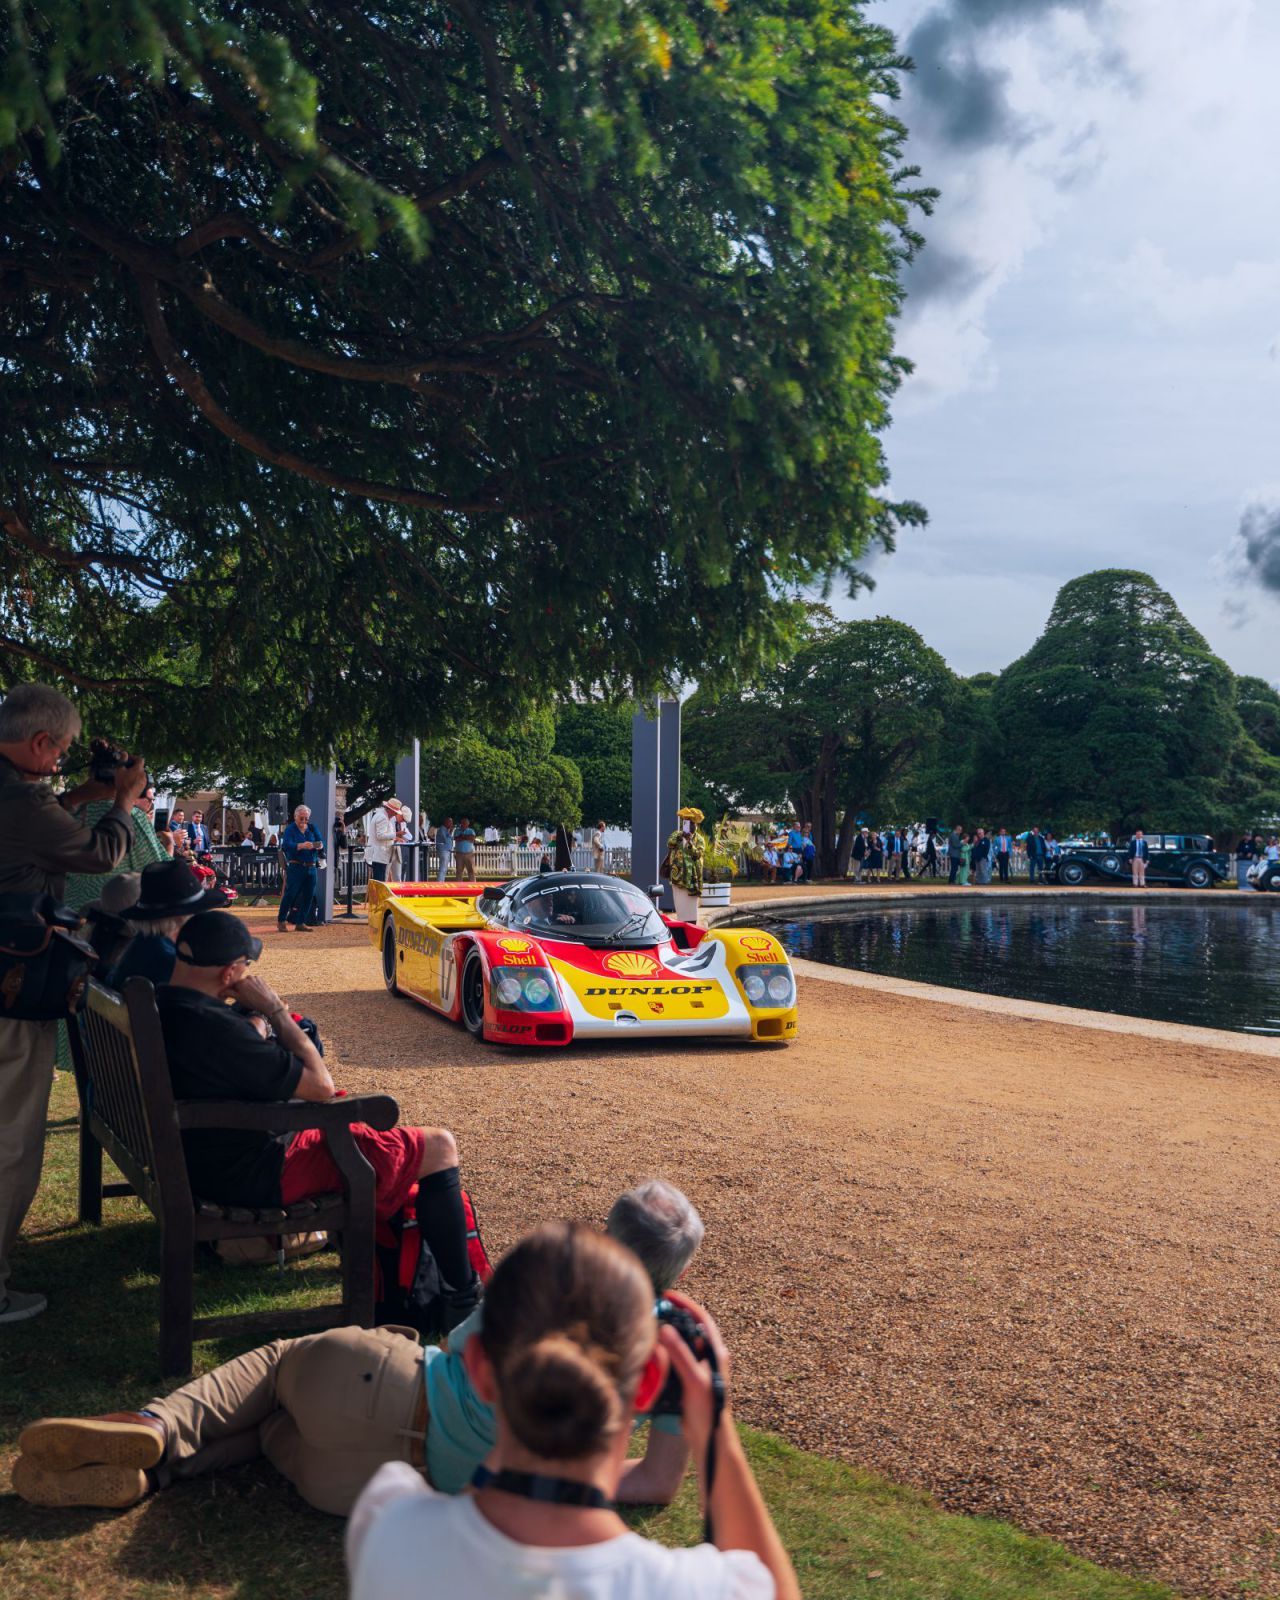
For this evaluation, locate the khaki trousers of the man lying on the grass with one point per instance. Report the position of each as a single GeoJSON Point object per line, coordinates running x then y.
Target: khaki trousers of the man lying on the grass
{"type": "Point", "coordinates": [326, 1410]}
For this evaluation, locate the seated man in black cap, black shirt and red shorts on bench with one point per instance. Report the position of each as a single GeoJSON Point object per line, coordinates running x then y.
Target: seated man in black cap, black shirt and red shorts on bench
{"type": "Point", "coordinates": [215, 1052]}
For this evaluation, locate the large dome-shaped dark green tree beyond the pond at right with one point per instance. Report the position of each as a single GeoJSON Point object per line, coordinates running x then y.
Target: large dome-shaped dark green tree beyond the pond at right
{"type": "Point", "coordinates": [1121, 714]}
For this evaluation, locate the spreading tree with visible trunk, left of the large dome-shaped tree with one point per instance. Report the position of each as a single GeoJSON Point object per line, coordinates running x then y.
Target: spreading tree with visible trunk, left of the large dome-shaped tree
{"type": "Point", "coordinates": [834, 735]}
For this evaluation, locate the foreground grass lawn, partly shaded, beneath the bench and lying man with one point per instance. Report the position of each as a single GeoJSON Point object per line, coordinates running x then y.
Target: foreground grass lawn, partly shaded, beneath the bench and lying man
{"type": "Point", "coordinates": [247, 1537]}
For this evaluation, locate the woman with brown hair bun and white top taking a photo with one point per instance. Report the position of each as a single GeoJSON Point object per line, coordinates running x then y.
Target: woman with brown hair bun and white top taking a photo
{"type": "Point", "coordinates": [569, 1354]}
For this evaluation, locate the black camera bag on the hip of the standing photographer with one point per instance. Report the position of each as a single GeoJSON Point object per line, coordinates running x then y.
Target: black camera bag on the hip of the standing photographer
{"type": "Point", "coordinates": [44, 964]}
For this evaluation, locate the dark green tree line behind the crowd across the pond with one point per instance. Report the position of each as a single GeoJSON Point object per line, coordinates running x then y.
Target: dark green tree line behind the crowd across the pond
{"type": "Point", "coordinates": [1119, 714]}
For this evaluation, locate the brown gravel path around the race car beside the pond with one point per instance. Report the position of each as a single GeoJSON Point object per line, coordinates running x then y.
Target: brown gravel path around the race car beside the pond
{"type": "Point", "coordinates": [1025, 1266]}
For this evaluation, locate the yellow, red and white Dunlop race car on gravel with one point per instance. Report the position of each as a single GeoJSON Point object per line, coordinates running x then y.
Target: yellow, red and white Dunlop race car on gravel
{"type": "Point", "coordinates": [569, 956]}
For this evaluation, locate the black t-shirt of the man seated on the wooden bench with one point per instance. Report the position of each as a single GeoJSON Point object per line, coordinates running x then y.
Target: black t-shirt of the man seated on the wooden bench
{"type": "Point", "coordinates": [215, 1054]}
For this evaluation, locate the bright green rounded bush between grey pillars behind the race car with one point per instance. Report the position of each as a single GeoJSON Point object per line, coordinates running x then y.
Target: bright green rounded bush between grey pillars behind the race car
{"type": "Point", "coordinates": [503, 777]}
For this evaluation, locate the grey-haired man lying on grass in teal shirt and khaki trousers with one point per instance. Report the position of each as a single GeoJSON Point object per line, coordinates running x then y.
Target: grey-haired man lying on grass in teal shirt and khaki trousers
{"type": "Point", "coordinates": [327, 1410]}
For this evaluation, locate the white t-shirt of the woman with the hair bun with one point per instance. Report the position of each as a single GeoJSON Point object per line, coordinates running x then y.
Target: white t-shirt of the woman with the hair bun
{"type": "Point", "coordinates": [409, 1543]}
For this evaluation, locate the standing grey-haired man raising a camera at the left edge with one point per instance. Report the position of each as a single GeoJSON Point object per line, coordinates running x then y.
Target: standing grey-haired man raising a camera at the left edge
{"type": "Point", "coordinates": [41, 842]}
